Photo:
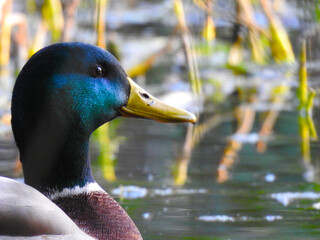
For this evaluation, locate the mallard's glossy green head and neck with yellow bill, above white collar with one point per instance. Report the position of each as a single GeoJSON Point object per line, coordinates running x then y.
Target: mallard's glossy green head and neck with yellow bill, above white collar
{"type": "Point", "coordinates": [62, 94]}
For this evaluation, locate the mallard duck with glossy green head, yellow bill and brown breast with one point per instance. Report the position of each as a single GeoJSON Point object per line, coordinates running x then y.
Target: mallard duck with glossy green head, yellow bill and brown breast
{"type": "Point", "coordinates": [63, 93]}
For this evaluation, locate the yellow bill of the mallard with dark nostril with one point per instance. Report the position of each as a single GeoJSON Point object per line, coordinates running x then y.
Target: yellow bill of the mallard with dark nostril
{"type": "Point", "coordinates": [143, 105]}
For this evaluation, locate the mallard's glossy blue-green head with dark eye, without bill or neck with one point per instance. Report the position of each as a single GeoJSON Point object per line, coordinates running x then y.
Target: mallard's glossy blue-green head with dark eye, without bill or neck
{"type": "Point", "coordinates": [73, 85]}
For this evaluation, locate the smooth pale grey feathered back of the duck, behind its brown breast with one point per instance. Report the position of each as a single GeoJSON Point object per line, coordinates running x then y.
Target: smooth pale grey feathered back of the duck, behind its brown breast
{"type": "Point", "coordinates": [24, 212]}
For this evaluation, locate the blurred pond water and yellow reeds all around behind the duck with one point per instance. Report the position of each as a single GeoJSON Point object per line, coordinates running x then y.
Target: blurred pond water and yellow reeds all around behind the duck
{"type": "Point", "coordinates": [249, 69]}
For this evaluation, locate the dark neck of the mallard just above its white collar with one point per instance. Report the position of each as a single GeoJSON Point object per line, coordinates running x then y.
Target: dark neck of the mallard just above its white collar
{"type": "Point", "coordinates": [56, 160]}
